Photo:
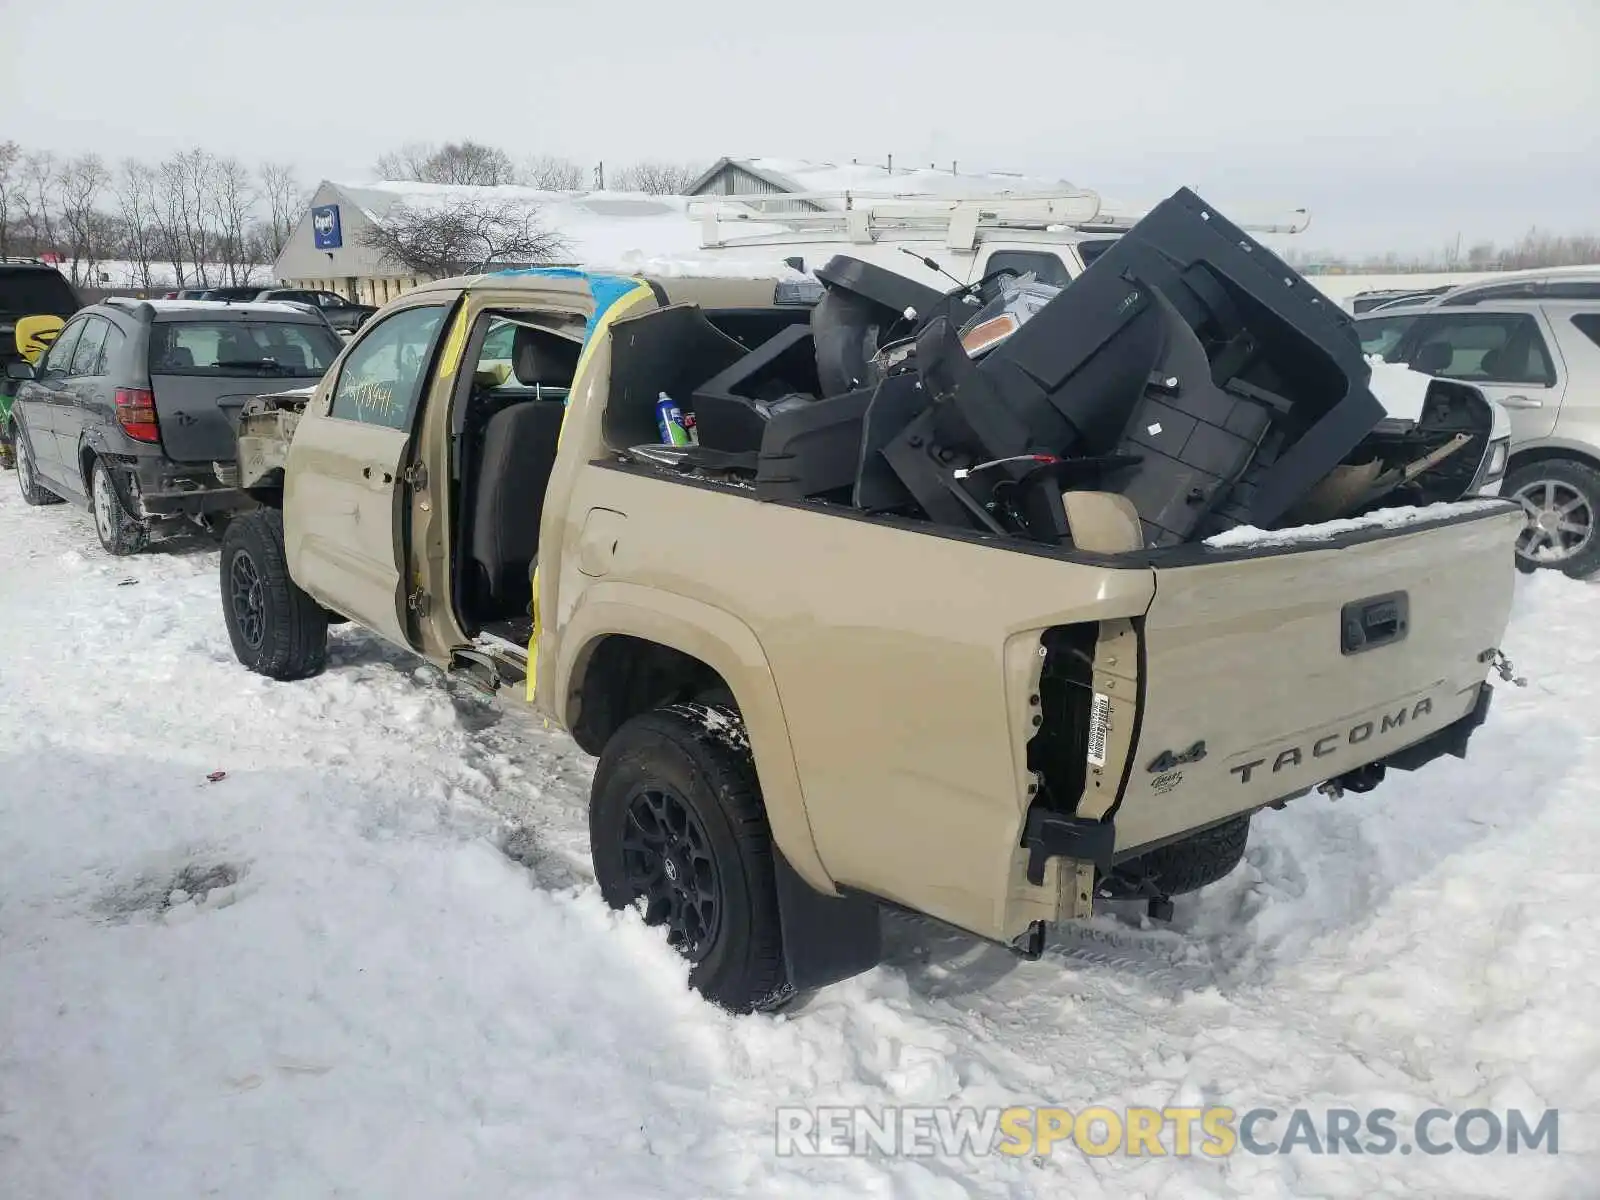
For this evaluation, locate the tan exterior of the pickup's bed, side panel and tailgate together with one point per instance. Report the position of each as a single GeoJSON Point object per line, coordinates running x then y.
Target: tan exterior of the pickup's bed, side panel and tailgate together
{"type": "Point", "coordinates": [914, 666]}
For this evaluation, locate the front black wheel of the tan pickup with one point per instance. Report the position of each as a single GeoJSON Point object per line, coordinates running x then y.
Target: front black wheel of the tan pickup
{"type": "Point", "coordinates": [278, 631]}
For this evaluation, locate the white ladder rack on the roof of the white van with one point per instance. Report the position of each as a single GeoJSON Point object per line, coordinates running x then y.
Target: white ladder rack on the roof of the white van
{"type": "Point", "coordinates": [882, 217]}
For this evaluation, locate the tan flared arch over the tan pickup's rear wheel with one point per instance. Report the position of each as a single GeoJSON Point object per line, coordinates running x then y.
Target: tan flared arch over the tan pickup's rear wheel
{"type": "Point", "coordinates": [623, 630]}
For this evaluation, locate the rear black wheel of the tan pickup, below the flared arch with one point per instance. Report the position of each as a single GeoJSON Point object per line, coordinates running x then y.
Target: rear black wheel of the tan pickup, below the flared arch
{"type": "Point", "coordinates": [676, 820]}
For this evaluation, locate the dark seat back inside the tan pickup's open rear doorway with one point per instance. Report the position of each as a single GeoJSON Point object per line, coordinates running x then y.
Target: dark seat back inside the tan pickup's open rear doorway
{"type": "Point", "coordinates": [508, 498]}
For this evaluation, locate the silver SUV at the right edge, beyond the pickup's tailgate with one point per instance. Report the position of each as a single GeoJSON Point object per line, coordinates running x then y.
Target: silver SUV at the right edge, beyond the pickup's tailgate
{"type": "Point", "coordinates": [1542, 361]}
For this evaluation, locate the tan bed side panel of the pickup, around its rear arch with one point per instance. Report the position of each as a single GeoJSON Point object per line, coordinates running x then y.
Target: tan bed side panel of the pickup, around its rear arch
{"type": "Point", "coordinates": [889, 647]}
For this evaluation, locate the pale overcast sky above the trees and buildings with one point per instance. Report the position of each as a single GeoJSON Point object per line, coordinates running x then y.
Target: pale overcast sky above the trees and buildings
{"type": "Point", "coordinates": [1401, 124]}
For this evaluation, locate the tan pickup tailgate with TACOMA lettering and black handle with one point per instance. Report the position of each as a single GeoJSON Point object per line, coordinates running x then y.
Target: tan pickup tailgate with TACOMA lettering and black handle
{"type": "Point", "coordinates": [1297, 663]}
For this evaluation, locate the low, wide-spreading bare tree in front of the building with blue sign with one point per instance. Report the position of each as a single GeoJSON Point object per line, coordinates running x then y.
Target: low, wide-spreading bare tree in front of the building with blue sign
{"type": "Point", "coordinates": [438, 242]}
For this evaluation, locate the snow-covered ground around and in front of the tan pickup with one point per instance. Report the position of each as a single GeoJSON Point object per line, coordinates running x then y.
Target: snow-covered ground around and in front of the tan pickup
{"type": "Point", "coordinates": [401, 982]}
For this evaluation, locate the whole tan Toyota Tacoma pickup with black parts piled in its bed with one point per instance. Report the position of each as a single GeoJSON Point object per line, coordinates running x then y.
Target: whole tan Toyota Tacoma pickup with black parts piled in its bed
{"type": "Point", "coordinates": [983, 606]}
